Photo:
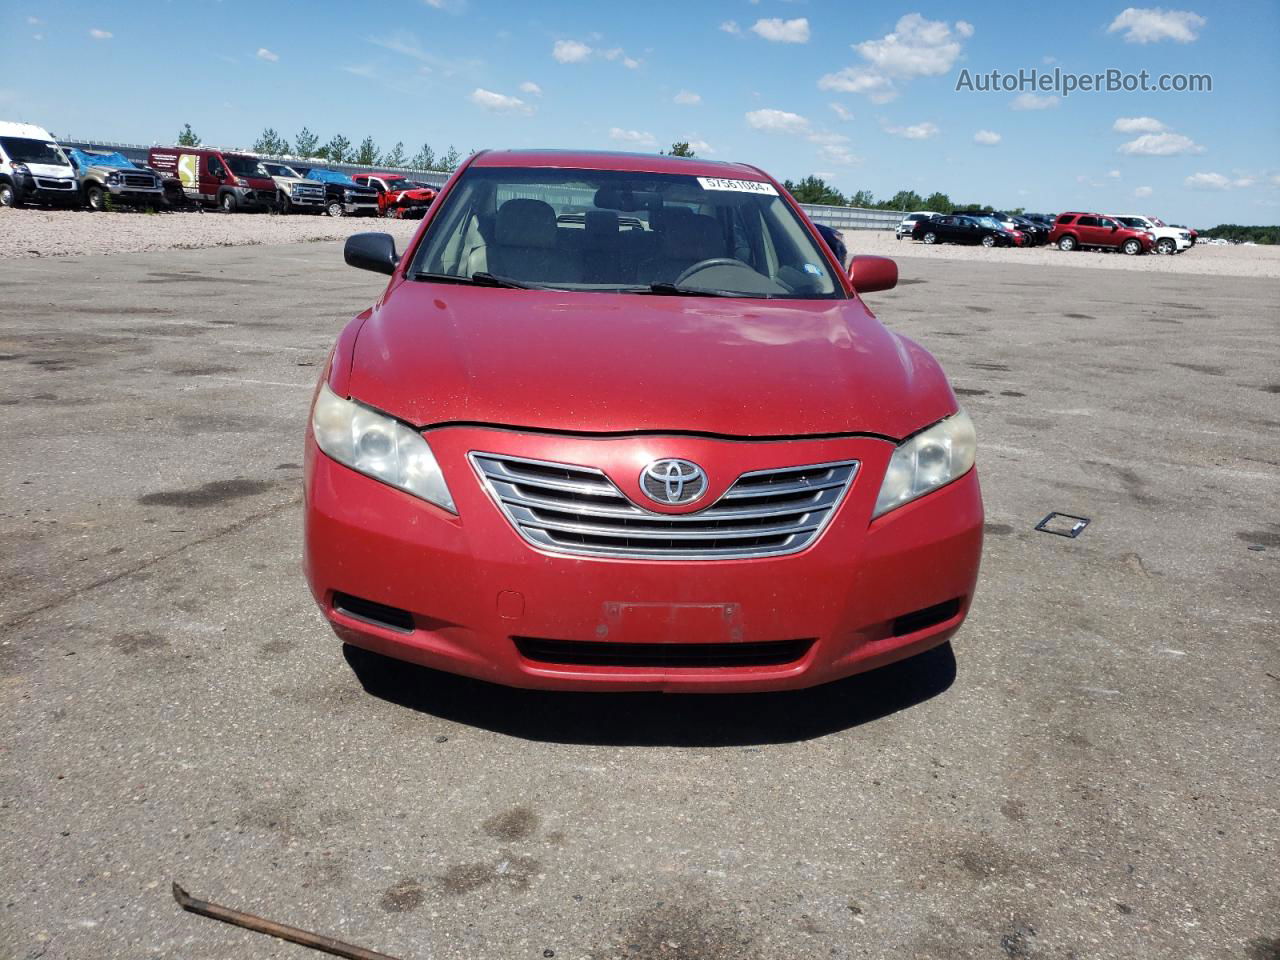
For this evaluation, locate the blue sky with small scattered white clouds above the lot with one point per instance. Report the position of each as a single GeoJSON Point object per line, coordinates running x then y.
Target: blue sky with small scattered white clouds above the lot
{"type": "Point", "coordinates": [865, 95]}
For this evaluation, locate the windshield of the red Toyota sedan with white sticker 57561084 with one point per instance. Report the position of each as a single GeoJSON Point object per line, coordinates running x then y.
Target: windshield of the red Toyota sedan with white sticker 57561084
{"type": "Point", "coordinates": [611, 231]}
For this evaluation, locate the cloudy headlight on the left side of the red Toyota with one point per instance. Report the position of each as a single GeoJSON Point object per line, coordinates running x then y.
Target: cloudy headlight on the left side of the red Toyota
{"type": "Point", "coordinates": [380, 447]}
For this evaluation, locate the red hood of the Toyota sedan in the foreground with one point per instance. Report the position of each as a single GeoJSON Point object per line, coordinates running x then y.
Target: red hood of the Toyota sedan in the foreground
{"type": "Point", "coordinates": [596, 363]}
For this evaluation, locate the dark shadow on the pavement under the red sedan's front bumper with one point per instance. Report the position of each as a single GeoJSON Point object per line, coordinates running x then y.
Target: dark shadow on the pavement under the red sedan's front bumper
{"type": "Point", "coordinates": [659, 720]}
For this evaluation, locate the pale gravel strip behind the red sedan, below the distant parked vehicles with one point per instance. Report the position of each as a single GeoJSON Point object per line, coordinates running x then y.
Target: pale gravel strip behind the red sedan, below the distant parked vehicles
{"type": "Point", "coordinates": [29, 234]}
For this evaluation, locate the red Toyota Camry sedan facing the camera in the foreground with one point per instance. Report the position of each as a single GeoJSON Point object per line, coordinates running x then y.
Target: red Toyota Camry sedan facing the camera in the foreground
{"type": "Point", "coordinates": [623, 423]}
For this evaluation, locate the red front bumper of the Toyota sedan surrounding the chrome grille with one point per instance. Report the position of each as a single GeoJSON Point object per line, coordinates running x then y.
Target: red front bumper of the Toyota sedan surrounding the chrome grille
{"type": "Point", "coordinates": [481, 597]}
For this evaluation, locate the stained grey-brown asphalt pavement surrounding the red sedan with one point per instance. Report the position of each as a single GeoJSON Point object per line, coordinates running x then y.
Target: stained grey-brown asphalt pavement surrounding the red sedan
{"type": "Point", "coordinates": [1092, 775]}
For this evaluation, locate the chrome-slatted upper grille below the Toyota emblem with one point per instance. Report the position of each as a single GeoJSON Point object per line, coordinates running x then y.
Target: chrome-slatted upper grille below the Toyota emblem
{"type": "Point", "coordinates": [579, 510]}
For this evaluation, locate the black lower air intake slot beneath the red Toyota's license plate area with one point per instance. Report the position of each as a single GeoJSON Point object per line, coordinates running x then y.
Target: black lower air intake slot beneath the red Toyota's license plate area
{"type": "Point", "coordinates": [600, 655]}
